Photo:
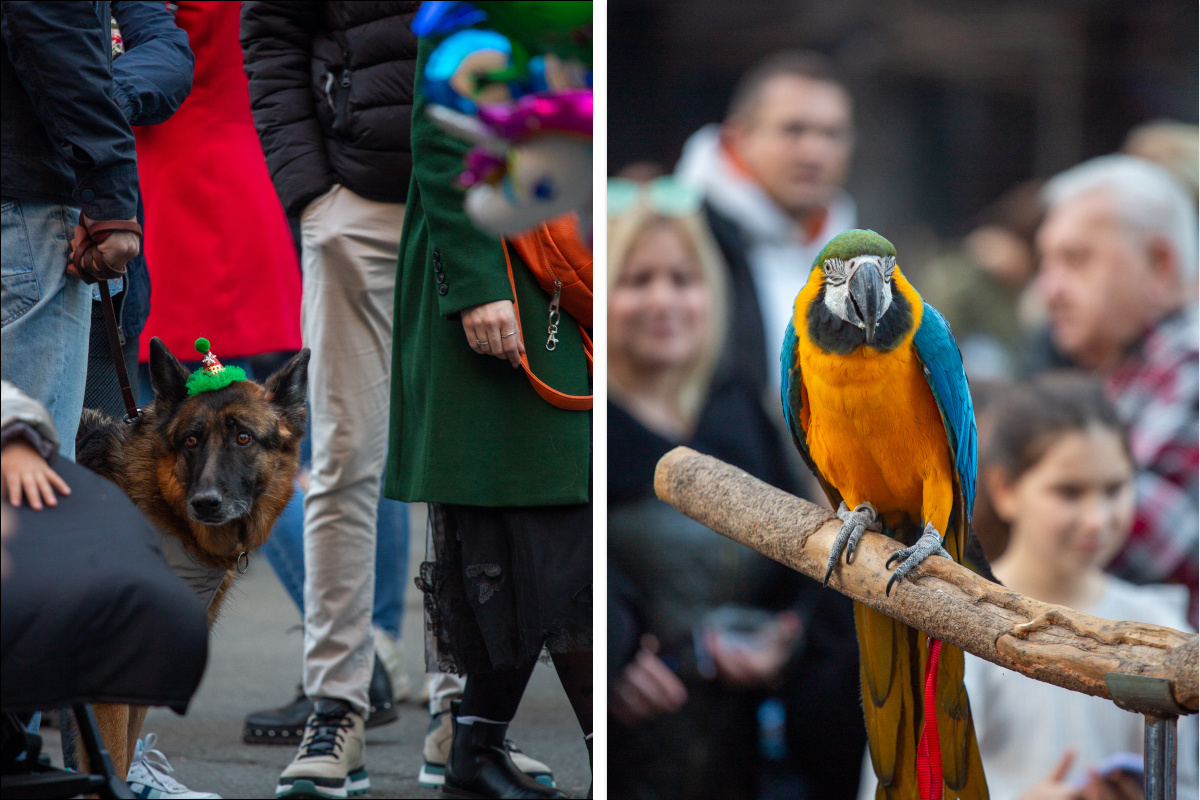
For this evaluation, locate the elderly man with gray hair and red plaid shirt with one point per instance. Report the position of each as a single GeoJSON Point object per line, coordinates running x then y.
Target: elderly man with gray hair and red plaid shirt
{"type": "Point", "coordinates": [1119, 278]}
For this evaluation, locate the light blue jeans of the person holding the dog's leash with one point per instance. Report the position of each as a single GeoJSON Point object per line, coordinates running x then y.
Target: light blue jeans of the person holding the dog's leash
{"type": "Point", "coordinates": [45, 314]}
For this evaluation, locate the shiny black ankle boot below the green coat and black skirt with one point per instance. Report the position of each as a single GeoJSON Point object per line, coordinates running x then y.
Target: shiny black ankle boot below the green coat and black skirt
{"type": "Point", "coordinates": [479, 766]}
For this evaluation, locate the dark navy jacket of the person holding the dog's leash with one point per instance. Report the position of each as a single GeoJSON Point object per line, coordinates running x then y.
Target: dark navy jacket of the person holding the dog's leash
{"type": "Point", "coordinates": [63, 137]}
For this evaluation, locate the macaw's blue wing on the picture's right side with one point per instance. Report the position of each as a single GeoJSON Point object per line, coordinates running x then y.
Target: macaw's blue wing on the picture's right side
{"type": "Point", "coordinates": [943, 362]}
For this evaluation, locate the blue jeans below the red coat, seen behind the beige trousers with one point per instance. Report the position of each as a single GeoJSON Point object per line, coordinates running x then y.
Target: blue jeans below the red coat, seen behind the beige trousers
{"type": "Point", "coordinates": [285, 549]}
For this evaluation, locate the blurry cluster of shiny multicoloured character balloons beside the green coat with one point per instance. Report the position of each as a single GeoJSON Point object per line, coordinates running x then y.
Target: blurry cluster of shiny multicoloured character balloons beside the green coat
{"type": "Point", "coordinates": [532, 159]}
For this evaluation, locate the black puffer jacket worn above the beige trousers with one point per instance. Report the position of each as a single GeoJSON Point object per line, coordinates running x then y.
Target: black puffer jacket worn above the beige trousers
{"type": "Point", "coordinates": [332, 91]}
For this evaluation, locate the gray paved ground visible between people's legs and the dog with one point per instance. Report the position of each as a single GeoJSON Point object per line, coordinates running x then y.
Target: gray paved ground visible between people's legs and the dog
{"type": "Point", "coordinates": [255, 664]}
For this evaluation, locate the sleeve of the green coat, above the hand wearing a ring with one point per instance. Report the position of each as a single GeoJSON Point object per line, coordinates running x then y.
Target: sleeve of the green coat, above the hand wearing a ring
{"type": "Point", "coordinates": [472, 261]}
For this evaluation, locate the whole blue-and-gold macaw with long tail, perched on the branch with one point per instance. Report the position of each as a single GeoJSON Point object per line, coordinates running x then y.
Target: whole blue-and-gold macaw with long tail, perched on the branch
{"type": "Point", "coordinates": [878, 404]}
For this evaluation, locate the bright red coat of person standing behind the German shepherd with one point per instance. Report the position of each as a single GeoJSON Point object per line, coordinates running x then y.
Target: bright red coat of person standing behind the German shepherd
{"type": "Point", "coordinates": [221, 257]}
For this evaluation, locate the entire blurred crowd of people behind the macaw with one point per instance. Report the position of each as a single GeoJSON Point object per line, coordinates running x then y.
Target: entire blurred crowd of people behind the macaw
{"type": "Point", "coordinates": [1075, 304]}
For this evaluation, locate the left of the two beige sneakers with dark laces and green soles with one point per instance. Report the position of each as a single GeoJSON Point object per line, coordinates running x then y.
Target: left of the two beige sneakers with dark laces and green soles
{"type": "Point", "coordinates": [329, 761]}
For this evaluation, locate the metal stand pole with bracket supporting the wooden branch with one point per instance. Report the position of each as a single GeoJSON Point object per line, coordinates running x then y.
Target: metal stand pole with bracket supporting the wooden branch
{"type": "Point", "coordinates": [1153, 699]}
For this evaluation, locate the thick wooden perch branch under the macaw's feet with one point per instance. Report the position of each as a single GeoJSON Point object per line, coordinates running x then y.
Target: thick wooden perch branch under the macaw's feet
{"type": "Point", "coordinates": [1051, 643]}
